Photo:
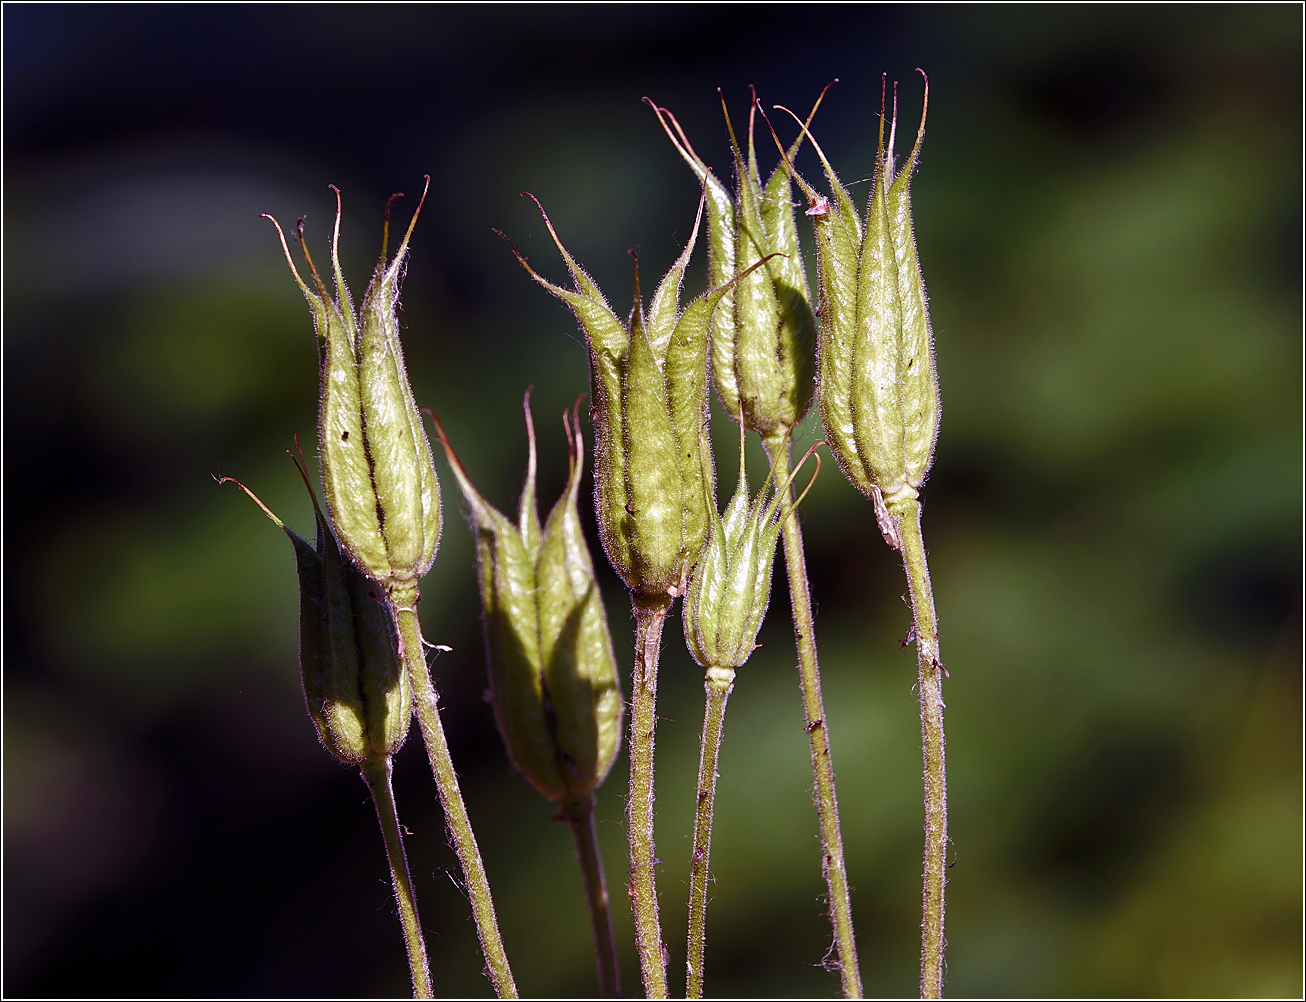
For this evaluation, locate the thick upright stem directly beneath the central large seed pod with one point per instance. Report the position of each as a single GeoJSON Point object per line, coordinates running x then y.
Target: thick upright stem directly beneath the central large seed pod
{"type": "Point", "coordinates": [650, 617]}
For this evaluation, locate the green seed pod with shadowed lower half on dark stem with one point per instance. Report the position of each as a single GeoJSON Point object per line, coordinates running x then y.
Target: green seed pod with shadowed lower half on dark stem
{"type": "Point", "coordinates": [553, 675]}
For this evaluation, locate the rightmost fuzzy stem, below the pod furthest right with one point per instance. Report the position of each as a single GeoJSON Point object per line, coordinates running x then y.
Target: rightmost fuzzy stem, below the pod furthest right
{"type": "Point", "coordinates": [907, 518]}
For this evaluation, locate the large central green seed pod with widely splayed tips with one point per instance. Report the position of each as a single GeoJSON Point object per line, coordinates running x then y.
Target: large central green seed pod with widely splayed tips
{"type": "Point", "coordinates": [654, 470]}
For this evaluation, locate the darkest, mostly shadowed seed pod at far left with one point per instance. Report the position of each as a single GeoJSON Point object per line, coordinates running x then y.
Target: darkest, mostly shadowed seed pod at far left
{"type": "Point", "coordinates": [356, 687]}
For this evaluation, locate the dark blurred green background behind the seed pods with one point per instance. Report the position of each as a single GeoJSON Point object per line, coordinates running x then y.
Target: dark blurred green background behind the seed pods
{"type": "Point", "coordinates": [1109, 218]}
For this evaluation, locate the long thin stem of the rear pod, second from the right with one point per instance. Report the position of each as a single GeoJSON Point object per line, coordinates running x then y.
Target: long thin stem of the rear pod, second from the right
{"type": "Point", "coordinates": [818, 736]}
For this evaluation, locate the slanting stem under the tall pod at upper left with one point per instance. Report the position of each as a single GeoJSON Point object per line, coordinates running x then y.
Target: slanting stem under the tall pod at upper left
{"type": "Point", "coordinates": [451, 800]}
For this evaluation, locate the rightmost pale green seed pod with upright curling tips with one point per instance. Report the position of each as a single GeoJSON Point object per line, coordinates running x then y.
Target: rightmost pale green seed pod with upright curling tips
{"type": "Point", "coordinates": [877, 382]}
